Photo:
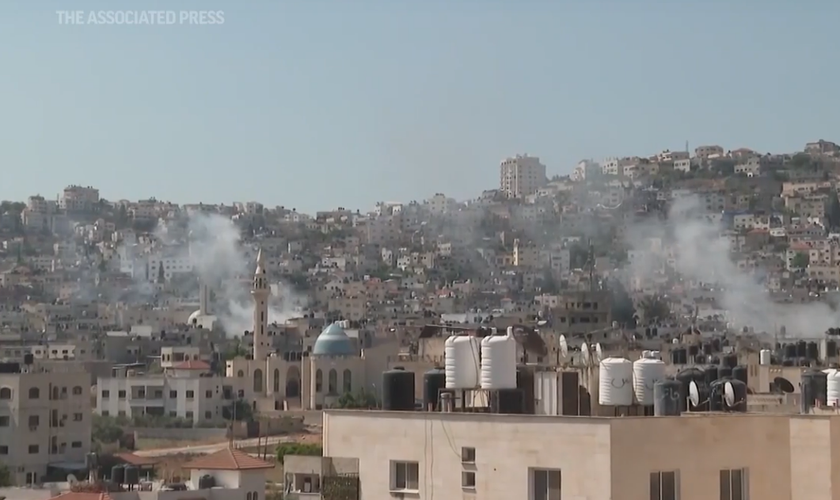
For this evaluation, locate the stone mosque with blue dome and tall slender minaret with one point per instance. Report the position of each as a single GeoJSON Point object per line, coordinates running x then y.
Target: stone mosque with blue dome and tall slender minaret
{"type": "Point", "coordinates": [302, 380]}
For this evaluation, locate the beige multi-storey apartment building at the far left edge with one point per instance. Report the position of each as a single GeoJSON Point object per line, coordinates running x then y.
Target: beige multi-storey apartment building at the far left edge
{"type": "Point", "coordinates": [45, 419]}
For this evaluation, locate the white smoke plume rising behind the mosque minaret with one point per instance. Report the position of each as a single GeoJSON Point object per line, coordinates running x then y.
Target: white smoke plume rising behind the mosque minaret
{"type": "Point", "coordinates": [219, 259]}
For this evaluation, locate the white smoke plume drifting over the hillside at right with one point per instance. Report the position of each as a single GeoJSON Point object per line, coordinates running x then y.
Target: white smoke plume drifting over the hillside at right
{"type": "Point", "coordinates": [691, 245]}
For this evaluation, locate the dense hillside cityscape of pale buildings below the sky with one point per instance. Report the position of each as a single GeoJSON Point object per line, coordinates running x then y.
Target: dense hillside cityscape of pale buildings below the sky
{"type": "Point", "coordinates": [147, 345]}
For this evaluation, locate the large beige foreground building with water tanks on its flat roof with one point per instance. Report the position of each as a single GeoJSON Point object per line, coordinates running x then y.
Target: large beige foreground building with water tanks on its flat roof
{"type": "Point", "coordinates": [691, 457]}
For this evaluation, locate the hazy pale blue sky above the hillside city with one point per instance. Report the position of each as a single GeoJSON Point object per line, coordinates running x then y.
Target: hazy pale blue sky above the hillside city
{"type": "Point", "coordinates": [315, 104]}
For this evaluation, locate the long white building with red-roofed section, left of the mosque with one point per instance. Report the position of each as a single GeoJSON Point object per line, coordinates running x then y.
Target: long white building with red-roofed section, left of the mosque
{"type": "Point", "coordinates": [187, 391]}
